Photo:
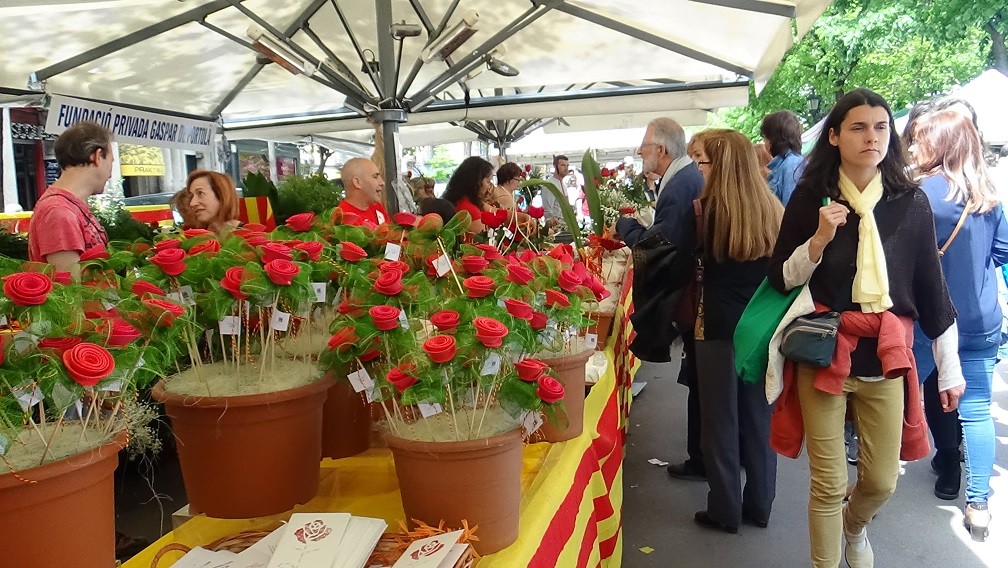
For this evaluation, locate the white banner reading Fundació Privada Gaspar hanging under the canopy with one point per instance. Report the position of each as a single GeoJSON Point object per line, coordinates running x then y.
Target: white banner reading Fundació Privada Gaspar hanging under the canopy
{"type": "Point", "coordinates": [132, 126]}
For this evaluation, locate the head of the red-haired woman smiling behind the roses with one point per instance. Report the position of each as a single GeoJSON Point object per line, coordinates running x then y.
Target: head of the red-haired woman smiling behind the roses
{"type": "Point", "coordinates": [209, 201]}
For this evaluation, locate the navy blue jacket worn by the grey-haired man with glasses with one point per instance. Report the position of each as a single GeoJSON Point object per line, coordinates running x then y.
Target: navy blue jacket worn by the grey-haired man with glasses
{"type": "Point", "coordinates": [672, 212]}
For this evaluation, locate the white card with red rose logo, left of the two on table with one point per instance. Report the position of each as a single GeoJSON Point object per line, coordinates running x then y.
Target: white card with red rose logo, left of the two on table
{"type": "Point", "coordinates": [311, 540]}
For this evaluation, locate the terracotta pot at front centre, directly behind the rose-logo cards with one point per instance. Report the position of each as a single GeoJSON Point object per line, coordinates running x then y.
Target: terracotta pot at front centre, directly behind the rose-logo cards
{"type": "Point", "coordinates": [475, 481]}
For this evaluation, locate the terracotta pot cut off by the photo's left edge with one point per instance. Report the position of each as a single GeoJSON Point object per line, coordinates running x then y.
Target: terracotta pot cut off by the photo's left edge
{"type": "Point", "coordinates": [62, 514]}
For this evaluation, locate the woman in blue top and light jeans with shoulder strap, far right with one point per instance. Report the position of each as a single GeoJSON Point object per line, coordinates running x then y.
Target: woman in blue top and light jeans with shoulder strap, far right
{"type": "Point", "coordinates": [947, 157]}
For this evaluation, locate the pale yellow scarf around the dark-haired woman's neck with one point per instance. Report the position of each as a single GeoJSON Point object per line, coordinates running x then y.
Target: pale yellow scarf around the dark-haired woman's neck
{"type": "Point", "coordinates": [871, 281]}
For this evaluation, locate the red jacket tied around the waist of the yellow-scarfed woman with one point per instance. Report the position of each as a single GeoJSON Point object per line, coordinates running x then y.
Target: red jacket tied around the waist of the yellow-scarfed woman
{"type": "Point", "coordinates": [896, 342]}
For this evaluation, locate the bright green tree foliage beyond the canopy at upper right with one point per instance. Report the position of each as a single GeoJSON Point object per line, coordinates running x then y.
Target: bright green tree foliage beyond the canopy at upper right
{"type": "Point", "coordinates": [905, 50]}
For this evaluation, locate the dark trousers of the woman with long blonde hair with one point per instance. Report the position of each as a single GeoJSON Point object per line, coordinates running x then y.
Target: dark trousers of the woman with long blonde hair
{"type": "Point", "coordinates": [736, 434]}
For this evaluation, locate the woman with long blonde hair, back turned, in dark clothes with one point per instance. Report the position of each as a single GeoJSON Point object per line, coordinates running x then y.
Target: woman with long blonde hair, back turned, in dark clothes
{"type": "Point", "coordinates": [739, 221]}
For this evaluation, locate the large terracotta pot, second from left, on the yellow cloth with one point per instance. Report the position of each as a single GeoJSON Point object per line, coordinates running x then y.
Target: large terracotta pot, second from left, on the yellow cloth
{"type": "Point", "coordinates": [251, 456]}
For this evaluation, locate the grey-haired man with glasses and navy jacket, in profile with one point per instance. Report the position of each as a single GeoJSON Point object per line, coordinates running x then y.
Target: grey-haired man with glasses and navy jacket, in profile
{"type": "Point", "coordinates": [664, 151]}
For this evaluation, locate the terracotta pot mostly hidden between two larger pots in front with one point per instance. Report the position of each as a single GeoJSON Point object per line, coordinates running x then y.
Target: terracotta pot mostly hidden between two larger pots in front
{"type": "Point", "coordinates": [346, 421]}
